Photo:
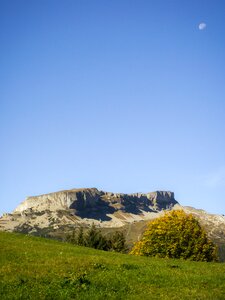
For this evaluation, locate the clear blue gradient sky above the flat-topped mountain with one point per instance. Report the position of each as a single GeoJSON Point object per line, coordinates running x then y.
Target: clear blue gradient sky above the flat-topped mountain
{"type": "Point", "coordinates": [125, 96]}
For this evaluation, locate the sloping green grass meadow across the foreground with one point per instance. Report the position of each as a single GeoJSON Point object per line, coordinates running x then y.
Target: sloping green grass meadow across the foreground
{"type": "Point", "coordinates": [38, 268]}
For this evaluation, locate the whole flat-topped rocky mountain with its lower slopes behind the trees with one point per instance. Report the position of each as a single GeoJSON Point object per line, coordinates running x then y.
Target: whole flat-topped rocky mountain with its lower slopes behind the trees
{"type": "Point", "coordinates": [57, 214]}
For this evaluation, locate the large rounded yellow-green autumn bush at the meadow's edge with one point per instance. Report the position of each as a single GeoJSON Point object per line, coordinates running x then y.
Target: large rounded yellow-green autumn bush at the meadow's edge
{"type": "Point", "coordinates": [176, 235]}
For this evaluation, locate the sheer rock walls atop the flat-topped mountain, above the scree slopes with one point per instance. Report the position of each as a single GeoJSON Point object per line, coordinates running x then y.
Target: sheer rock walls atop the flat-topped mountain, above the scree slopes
{"type": "Point", "coordinates": [87, 197]}
